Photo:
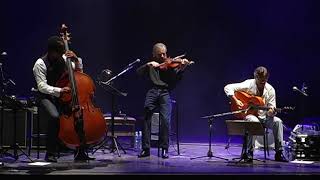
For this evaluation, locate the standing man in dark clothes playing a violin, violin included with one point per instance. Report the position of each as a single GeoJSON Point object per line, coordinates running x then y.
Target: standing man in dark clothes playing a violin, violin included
{"type": "Point", "coordinates": [163, 73]}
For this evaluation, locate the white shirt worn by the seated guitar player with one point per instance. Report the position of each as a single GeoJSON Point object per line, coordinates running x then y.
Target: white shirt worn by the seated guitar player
{"type": "Point", "coordinates": [250, 86]}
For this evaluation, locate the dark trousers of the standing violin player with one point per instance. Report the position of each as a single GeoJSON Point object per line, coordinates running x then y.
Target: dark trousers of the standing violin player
{"type": "Point", "coordinates": [157, 98]}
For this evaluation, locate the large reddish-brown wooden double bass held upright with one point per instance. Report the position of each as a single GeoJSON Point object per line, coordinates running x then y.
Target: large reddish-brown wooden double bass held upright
{"type": "Point", "coordinates": [82, 124]}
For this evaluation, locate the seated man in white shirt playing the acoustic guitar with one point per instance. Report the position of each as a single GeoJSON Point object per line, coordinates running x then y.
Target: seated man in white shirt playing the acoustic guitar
{"type": "Point", "coordinates": [259, 87]}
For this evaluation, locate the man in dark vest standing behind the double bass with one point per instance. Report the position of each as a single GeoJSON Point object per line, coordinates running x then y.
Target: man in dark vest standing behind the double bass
{"type": "Point", "coordinates": [47, 71]}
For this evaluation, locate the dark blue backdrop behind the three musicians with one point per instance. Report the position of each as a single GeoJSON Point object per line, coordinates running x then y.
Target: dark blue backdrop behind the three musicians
{"type": "Point", "coordinates": [227, 40]}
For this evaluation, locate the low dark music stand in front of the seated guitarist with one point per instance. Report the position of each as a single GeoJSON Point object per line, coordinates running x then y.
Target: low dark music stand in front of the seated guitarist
{"type": "Point", "coordinates": [244, 128]}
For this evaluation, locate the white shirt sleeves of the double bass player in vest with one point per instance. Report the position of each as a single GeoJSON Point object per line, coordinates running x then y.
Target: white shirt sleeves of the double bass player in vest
{"type": "Point", "coordinates": [40, 74]}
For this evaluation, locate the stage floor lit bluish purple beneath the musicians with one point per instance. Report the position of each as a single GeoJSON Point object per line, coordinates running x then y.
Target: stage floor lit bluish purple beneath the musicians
{"type": "Point", "coordinates": [107, 163]}
